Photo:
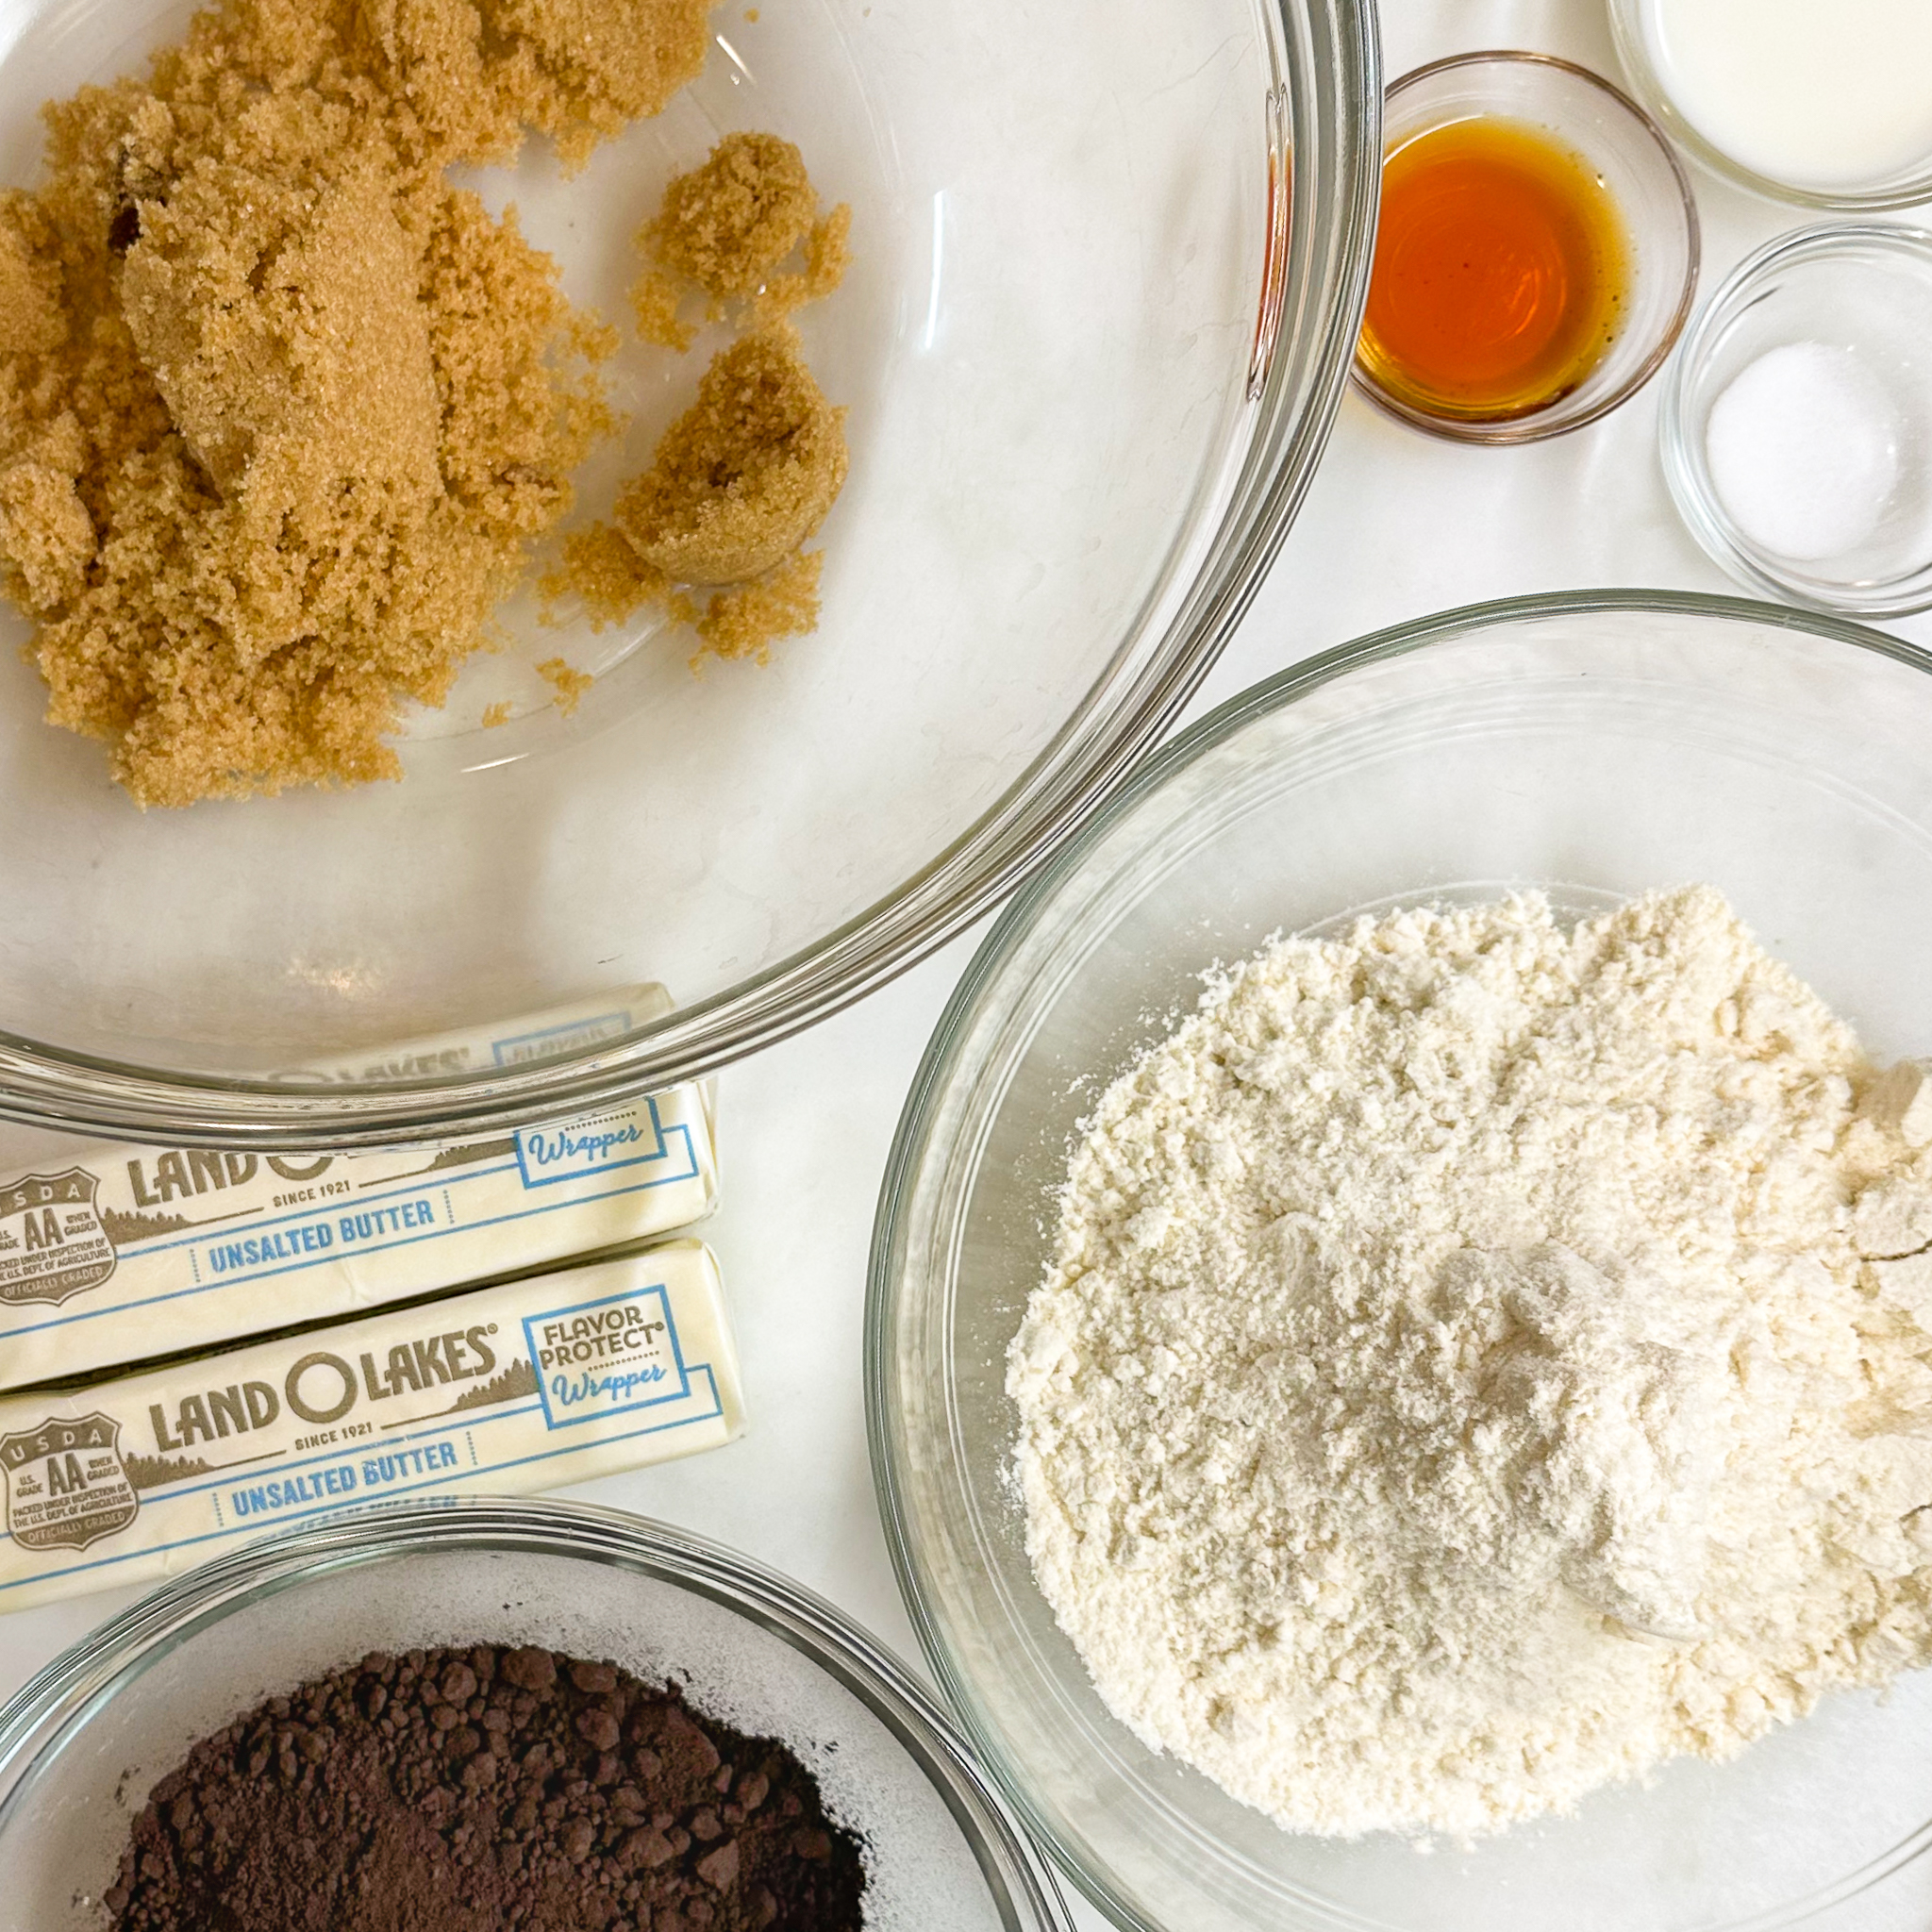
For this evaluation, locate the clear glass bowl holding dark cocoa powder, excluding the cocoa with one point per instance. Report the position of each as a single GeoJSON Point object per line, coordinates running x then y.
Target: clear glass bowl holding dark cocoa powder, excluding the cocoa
{"type": "Point", "coordinates": [82, 1744]}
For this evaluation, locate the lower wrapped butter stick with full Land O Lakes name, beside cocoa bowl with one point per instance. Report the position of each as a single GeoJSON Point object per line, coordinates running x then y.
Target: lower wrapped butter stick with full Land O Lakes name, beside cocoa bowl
{"type": "Point", "coordinates": [526, 1386]}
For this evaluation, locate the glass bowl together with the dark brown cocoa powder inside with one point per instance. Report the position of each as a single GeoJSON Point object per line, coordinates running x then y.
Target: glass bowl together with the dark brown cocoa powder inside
{"type": "Point", "coordinates": [496, 1715]}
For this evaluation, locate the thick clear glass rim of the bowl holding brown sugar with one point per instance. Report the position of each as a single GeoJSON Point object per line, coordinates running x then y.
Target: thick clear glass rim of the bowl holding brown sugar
{"type": "Point", "coordinates": [1321, 115]}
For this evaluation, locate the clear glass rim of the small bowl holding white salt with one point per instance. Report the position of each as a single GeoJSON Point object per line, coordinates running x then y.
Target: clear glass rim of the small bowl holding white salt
{"type": "Point", "coordinates": [1686, 472]}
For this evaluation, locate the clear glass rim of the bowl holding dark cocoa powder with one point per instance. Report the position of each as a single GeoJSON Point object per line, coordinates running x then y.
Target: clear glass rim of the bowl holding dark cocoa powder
{"type": "Point", "coordinates": [38, 1720]}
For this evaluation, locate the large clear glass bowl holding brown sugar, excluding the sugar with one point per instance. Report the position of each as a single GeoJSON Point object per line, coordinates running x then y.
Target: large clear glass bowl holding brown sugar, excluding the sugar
{"type": "Point", "coordinates": [1106, 289]}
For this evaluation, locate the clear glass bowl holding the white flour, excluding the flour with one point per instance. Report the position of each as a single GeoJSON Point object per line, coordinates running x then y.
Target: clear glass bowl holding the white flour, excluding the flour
{"type": "Point", "coordinates": [1587, 745]}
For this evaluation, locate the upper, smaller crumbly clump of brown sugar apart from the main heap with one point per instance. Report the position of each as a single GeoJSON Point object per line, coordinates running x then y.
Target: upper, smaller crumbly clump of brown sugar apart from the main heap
{"type": "Point", "coordinates": [727, 227]}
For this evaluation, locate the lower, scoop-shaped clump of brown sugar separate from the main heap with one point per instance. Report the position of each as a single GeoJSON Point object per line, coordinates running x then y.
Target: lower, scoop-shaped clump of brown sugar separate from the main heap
{"type": "Point", "coordinates": [747, 474]}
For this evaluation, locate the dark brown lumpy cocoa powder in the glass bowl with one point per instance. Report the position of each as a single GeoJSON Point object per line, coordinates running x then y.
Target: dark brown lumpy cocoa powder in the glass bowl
{"type": "Point", "coordinates": [484, 1788]}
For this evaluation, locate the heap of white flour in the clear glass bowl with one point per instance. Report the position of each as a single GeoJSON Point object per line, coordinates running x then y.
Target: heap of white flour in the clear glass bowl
{"type": "Point", "coordinates": [1458, 1384]}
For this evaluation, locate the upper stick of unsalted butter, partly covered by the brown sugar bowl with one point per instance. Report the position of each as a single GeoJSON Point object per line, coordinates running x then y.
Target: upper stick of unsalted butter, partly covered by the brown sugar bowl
{"type": "Point", "coordinates": [113, 1255]}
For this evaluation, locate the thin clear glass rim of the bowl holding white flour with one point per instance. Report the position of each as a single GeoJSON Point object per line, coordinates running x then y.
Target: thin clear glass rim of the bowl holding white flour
{"type": "Point", "coordinates": [942, 1069]}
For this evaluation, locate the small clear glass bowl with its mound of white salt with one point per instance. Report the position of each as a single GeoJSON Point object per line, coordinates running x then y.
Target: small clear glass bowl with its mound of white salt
{"type": "Point", "coordinates": [1798, 420]}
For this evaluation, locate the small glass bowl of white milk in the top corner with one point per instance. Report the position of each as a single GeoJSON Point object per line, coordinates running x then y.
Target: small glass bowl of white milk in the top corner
{"type": "Point", "coordinates": [1827, 103]}
